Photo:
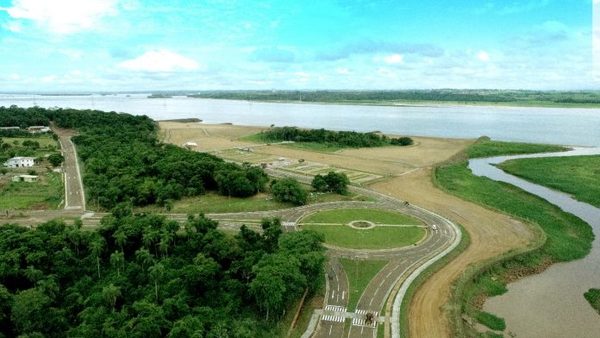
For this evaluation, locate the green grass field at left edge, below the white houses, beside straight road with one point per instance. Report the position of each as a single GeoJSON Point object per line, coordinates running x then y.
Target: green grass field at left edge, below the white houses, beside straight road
{"type": "Point", "coordinates": [45, 194]}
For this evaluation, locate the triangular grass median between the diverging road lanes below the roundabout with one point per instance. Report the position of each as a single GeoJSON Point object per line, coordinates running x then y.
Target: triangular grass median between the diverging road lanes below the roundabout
{"type": "Point", "coordinates": [360, 273]}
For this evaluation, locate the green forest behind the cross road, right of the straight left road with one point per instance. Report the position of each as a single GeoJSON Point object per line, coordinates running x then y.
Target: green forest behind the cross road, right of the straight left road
{"type": "Point", "coordinates": [124, 162]}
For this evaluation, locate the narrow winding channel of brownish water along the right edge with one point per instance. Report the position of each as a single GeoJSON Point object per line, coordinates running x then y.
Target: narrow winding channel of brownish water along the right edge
{"type": "Point", "coordinates": [550, 304]}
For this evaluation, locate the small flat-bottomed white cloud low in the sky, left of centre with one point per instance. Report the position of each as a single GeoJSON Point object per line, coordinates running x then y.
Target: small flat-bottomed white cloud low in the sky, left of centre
{"type": "Point", "coordinates": [160, 61]}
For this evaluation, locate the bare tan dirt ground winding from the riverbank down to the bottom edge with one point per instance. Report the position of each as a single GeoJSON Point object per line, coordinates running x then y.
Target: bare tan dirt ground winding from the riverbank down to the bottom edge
{"type": "Point", "coordinates": [409, 178]}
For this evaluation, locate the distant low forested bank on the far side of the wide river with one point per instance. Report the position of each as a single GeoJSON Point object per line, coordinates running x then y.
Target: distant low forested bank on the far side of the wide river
{"type": "Point", "coordinates": [518, 97]}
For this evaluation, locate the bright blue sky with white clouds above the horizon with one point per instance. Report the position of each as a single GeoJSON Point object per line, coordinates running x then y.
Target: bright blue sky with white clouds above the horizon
{"type": "Point", "coordinates": [137, 45]}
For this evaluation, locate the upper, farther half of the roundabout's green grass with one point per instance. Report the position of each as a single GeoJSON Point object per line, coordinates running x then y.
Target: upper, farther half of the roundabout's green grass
{"type": "Point", "coordinates": [345, 216]}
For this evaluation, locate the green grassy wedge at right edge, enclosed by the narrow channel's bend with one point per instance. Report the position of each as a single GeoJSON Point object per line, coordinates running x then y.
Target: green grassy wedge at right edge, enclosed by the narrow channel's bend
{"type": "Point", "coordinates": [576, 175]}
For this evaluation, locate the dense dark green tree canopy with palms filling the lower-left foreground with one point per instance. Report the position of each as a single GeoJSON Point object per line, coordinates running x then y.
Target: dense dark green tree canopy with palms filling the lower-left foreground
{"type": "Point", "coordinates": [145, 276]}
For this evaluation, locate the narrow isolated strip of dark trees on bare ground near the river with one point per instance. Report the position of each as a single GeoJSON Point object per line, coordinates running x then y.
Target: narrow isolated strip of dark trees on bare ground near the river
{"type": "Point", "coordinates": [351, 139]}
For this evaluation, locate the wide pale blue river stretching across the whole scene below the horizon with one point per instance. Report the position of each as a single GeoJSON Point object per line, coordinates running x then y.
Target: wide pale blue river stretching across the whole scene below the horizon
{"type": "Point", "coordinates": [571, 126]}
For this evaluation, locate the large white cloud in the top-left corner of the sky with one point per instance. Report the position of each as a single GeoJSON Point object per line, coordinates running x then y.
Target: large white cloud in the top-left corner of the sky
{"type": "Point", "coordinates": [62, 16]}
